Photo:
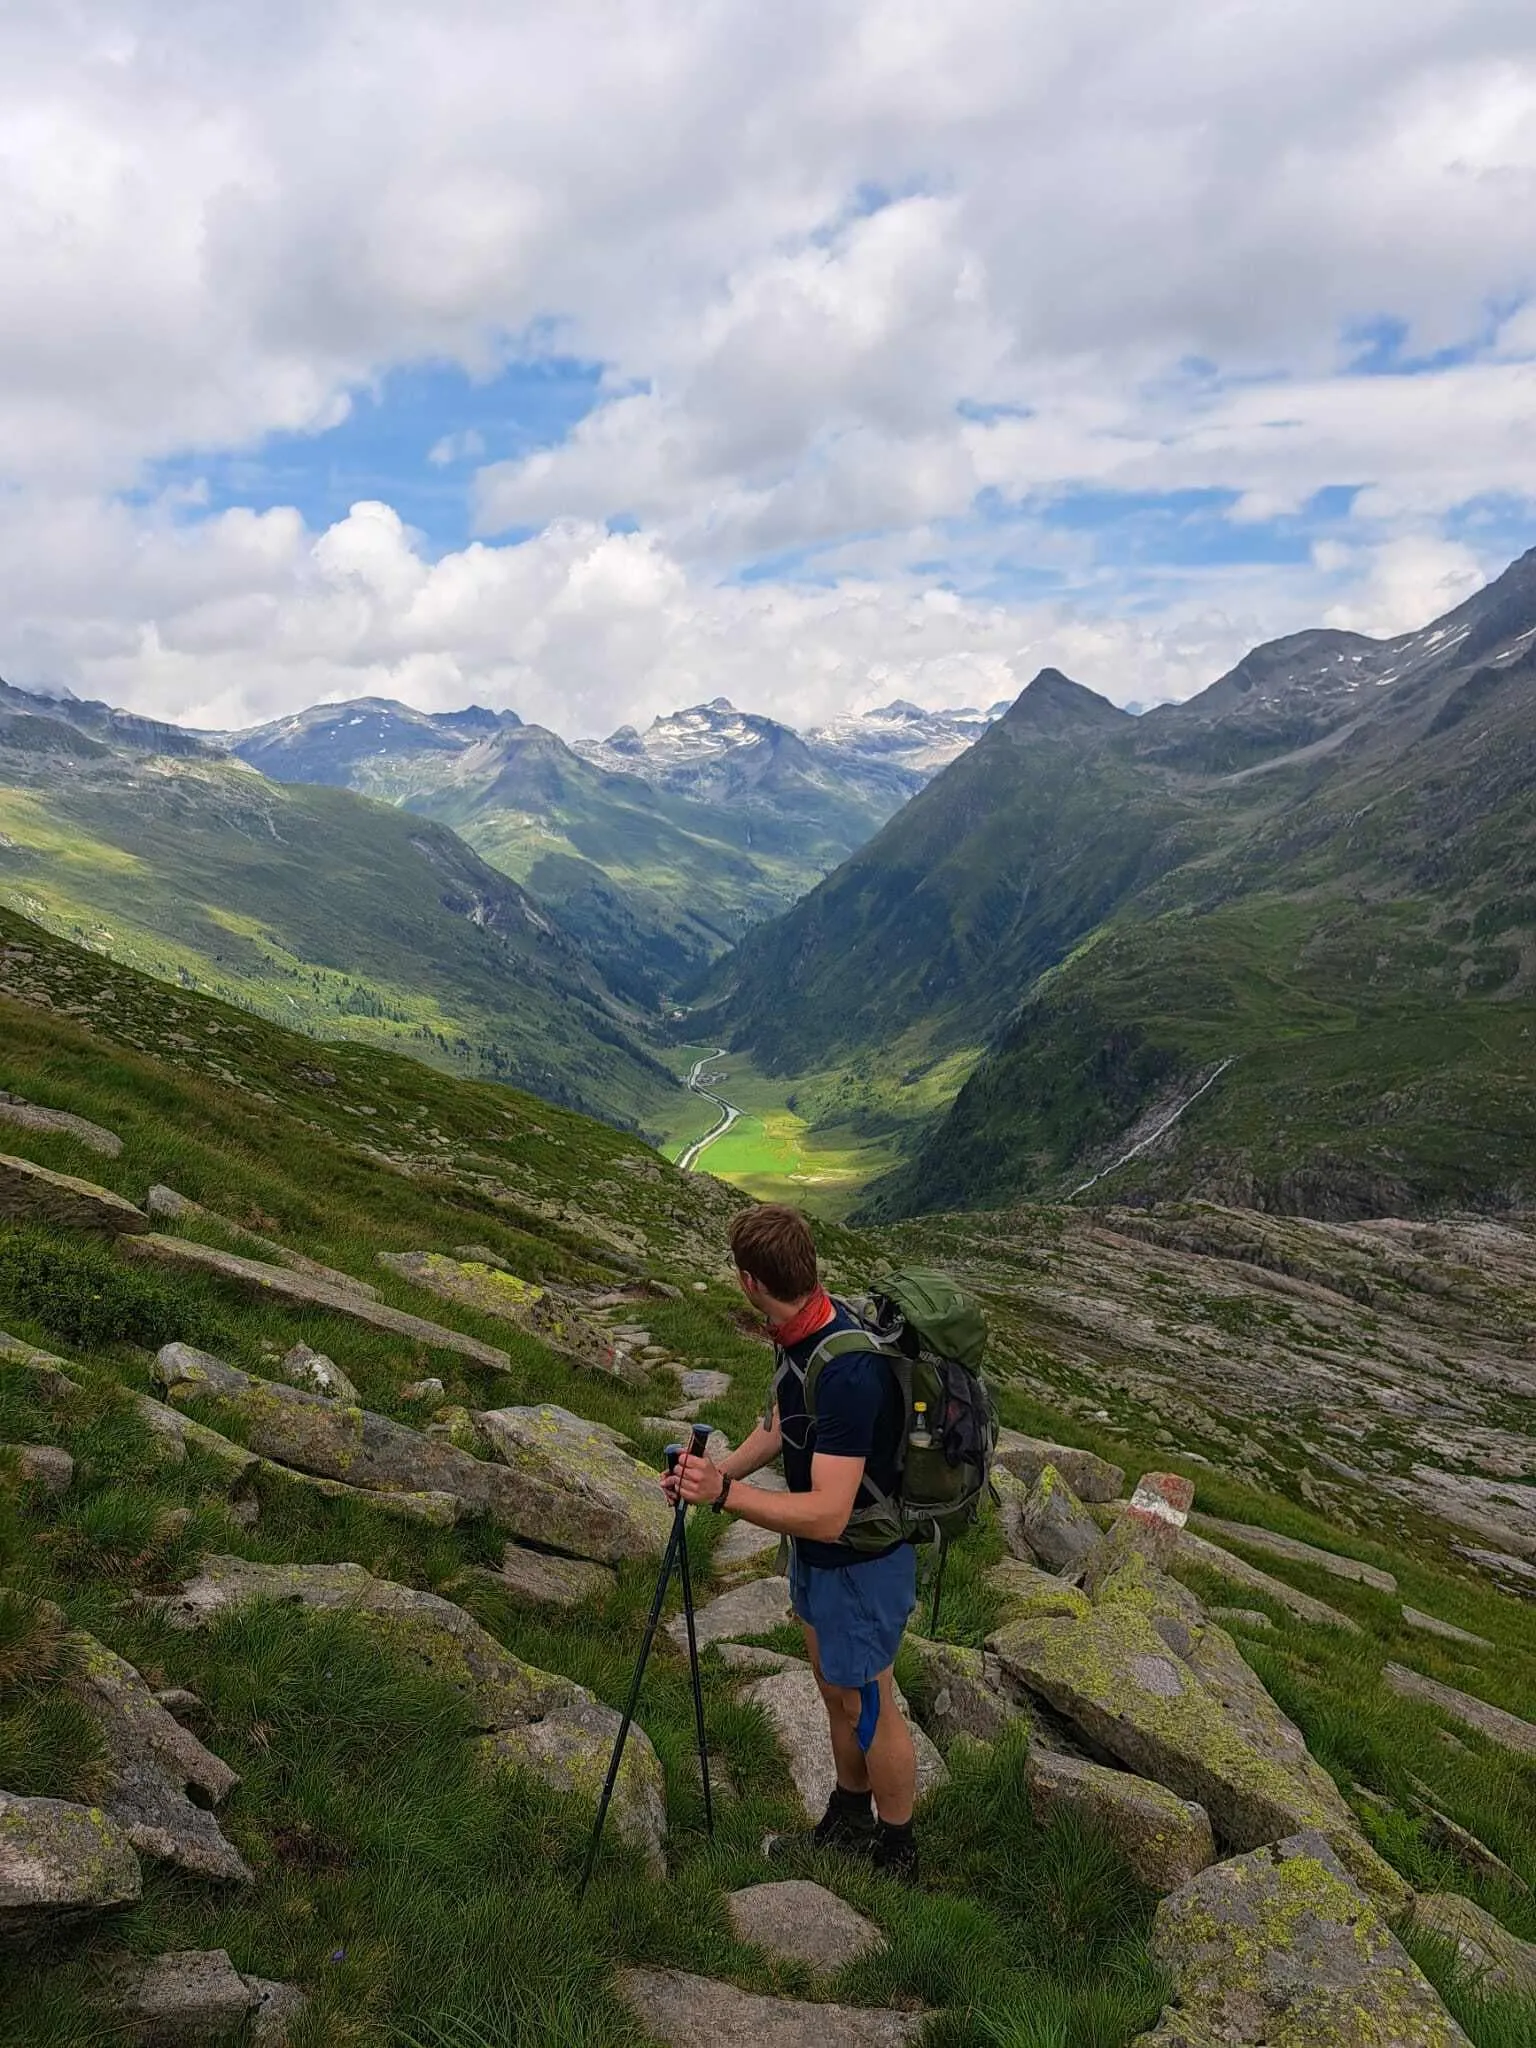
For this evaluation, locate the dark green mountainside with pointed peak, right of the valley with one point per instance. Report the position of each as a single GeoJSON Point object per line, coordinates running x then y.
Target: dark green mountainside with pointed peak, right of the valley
{"type": "Point", "coordinates": [1306, 896]}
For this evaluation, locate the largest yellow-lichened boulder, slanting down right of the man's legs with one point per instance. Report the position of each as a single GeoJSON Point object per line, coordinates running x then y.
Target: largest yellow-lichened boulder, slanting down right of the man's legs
{"type": "Point", "coordinates": [1134, 1697]}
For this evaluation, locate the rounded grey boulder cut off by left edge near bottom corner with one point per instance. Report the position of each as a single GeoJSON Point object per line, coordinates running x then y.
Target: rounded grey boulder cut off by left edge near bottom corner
{"type": "Point", "coordinates": [60, 1863]}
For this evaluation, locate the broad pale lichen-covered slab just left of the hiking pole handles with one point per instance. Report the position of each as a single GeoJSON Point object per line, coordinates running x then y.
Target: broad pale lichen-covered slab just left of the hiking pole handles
{"type": "Point", "coordinates": [552, 1449]}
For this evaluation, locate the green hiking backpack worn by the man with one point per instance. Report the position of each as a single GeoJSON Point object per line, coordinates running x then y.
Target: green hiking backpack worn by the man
{"type": "Point", "coordinates": [933, 1336]}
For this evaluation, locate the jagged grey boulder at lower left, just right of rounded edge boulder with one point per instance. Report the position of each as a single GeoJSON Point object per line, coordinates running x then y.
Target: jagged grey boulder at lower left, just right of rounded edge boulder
{"type": "Point", "coordinates": [157, 1766]}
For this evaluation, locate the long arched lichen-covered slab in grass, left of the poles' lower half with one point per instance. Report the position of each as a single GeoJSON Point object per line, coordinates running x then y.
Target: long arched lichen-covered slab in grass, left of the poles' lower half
{"type": "Point", "coordinates": [421, 1627]}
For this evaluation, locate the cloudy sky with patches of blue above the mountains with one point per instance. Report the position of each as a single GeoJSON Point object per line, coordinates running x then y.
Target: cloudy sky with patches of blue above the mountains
{"type": "Point", "coordinates": [609, 357]}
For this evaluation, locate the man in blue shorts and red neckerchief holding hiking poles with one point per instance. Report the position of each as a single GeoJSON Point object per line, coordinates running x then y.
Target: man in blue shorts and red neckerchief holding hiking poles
{"type": "Point", "coordinates": [853, 1605]}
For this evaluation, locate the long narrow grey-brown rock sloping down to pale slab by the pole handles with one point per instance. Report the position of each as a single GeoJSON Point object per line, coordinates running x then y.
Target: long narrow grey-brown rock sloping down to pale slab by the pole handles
{"type": "Point", "coordinates": [359, 1449]}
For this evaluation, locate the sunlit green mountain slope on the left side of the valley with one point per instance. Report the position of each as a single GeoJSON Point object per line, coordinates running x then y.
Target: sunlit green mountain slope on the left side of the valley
{"type": "Point", "coordinates": [337, 914]}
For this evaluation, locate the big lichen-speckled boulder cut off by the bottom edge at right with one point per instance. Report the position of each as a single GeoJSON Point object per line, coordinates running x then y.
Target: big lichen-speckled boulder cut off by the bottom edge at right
{"type": "Point", "coordinates": [1283, 1949]}
